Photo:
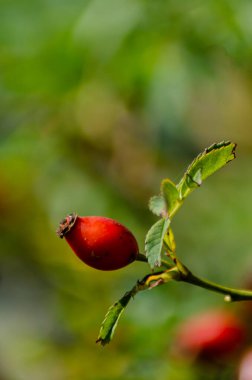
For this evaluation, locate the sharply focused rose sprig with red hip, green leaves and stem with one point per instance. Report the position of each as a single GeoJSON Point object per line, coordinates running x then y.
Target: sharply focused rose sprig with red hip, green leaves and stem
{"type": "Point", "coordinates": [105, 244]}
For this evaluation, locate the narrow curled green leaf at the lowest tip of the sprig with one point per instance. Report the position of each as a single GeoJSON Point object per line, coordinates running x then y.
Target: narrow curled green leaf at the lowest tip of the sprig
{"type": "Point", "coordinates": [111, 319]}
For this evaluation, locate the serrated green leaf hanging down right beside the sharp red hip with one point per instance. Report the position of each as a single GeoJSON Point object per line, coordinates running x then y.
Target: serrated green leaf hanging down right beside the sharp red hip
{"type": "Point", "coordinates": [154, 241]}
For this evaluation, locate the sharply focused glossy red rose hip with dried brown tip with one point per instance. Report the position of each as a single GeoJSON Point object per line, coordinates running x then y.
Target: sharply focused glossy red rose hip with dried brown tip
{"type": "Point", "coordinates": [102, 243]}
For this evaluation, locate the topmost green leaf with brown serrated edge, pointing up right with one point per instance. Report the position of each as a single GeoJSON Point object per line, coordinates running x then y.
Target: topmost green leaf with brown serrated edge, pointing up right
{"type": "Point", "coordinates": [207, 162]}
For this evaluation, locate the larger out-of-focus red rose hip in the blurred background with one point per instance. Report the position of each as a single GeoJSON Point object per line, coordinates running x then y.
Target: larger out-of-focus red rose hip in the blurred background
{"type": "Point", "coordinates": [210, 336]}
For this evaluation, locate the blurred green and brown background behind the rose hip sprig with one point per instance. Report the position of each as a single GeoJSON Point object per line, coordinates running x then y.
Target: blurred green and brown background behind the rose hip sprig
{"type": "Point", "coordinates": [100, 100]}
